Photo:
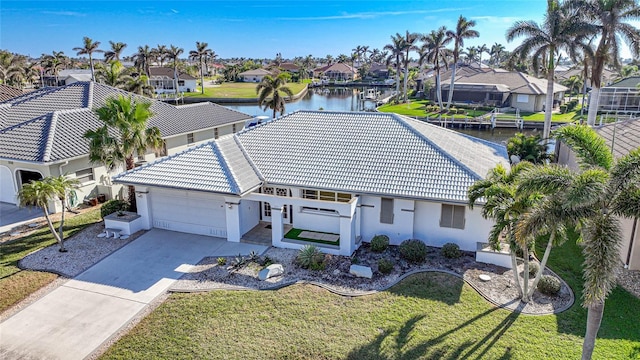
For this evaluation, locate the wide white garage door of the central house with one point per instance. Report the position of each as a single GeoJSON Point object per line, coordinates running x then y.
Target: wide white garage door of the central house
{"type": "Point", "coordinates": [190, 212]}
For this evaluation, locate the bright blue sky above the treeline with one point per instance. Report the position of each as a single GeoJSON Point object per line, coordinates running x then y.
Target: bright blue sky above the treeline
{"type": "Point", "coordinates": [250, 29]}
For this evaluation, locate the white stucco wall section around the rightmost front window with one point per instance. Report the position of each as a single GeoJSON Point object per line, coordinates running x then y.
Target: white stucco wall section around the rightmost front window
{"type": "Point", "coordinates": [427, 228]}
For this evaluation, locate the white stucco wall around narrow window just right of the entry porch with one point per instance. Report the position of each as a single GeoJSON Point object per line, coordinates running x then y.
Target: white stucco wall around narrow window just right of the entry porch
{"type": "Point", "coordinates": [400, 230]}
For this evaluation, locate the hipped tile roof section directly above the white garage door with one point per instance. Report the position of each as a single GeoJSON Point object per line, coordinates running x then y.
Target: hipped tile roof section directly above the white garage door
{"type": "Point", "coordinates": [216, 166]}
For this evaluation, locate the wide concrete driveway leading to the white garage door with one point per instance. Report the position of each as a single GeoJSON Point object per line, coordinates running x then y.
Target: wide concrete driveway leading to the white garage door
{"type": "Point", "coordinates": [76, 318]}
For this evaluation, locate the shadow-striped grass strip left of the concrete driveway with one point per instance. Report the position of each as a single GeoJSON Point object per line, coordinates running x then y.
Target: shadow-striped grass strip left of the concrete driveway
{"type": "Point", "coordinates": [16, 284]}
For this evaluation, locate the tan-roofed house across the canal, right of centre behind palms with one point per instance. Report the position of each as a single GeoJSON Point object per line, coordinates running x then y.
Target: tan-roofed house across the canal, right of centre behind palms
{"type": "Point", "coordinates": [501, 88]}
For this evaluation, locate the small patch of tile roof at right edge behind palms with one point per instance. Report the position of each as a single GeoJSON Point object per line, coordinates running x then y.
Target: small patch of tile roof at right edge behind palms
{"type": "Point", "coordinates": [624, 136]}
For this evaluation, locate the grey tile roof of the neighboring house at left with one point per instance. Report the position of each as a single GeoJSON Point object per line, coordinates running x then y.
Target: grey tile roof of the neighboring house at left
{"type": "Point", "coordinates": [60, 116]}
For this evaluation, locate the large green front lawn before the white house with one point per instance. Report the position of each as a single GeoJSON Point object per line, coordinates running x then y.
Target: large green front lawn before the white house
{"type": "Point", "coordinates": [428, 316]}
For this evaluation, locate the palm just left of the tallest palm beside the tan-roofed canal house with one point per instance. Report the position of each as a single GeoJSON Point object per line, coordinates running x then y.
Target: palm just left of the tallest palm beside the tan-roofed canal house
{"type": "Point", "coordinates": [434, 51]}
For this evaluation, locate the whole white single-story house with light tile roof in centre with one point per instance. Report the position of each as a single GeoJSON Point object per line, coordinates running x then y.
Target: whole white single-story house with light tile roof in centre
{"type": "Point", "coordinates": [350, 174]}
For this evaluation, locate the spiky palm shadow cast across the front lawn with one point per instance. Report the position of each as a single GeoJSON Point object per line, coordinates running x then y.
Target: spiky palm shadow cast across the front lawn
{"type": "Point", "coordinates": [434, 348]}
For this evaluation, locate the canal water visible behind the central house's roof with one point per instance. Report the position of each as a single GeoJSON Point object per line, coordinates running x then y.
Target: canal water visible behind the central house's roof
{"type": "Point", "coordinates": [354, 99]}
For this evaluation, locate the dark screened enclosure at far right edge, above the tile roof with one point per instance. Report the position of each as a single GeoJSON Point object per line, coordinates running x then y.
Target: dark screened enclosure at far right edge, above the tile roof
{"type": "Point", "coordinates": [622, 97]}
